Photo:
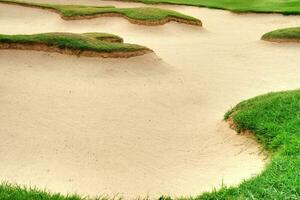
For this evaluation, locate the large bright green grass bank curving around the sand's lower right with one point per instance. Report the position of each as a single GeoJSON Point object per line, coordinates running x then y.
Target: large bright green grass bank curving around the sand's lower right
{"type": "Point", "coordinates": [273, 120]}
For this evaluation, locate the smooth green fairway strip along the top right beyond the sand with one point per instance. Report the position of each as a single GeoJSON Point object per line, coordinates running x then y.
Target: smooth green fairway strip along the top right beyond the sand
{"type": "Point", "coordinates": [261, 6]}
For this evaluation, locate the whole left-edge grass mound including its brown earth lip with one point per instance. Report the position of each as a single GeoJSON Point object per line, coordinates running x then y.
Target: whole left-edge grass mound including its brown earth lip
{"type": "Point", "coordinates": [86, 44]}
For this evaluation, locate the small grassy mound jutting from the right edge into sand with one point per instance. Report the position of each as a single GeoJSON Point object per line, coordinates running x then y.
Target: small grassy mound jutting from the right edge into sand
{"type": "Point", "coordinates": [282, 35]}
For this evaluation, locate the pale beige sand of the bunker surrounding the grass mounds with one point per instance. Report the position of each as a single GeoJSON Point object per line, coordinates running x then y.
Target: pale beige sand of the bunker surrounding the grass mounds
{"type": "Point", "coordinates": [138, 126]}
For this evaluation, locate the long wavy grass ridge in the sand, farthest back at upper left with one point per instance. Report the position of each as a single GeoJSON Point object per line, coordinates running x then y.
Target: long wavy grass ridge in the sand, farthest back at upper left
{"type": "Point", "coordinates": [143, 15]}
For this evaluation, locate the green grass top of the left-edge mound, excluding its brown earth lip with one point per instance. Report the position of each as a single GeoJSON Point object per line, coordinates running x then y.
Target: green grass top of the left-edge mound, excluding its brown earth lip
{"type": "Point", "coordinates": [97, 42]}
